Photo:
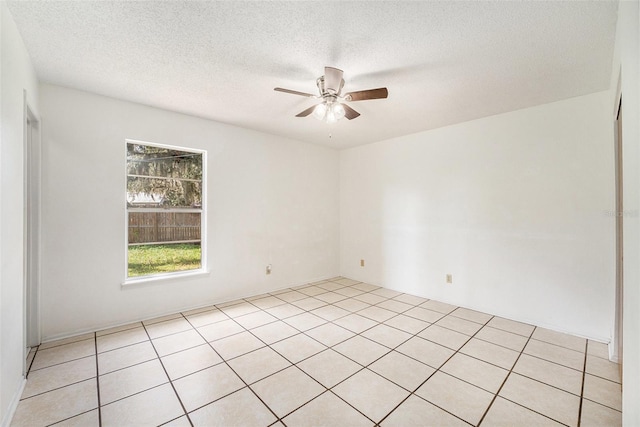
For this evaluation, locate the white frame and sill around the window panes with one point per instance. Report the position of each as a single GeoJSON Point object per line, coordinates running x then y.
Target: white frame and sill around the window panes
{"type": "Point", "coordinates": [203, 270]}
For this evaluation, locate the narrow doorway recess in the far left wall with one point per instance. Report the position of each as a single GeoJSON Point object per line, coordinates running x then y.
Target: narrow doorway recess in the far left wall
{"type": "Point", "coordinates": [31, 228]}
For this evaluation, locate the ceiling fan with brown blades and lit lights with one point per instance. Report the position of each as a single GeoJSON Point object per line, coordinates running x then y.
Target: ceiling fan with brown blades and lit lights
{"type": "Point", "coordinates": [333, 107]}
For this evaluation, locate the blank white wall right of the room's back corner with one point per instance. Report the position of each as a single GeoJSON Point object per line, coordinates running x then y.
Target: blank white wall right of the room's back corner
{"type": "Point", "coordinates": [517, 207]}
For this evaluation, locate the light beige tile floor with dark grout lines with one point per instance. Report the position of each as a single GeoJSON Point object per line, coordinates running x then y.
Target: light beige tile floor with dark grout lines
{"type": "Point", "coordinates": [336, 352]}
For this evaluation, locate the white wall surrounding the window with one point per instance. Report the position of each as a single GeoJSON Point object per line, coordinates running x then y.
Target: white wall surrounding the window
{"type": "Point", "coordinates": [270, 201]}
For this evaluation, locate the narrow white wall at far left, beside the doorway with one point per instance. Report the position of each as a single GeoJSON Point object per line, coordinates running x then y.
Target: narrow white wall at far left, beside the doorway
{"type": "Point", "coordinates": [17, 75]}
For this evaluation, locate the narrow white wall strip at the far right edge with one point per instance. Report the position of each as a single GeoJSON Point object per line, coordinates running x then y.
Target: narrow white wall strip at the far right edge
{"type": "Point", "coordinates": [625, 80]}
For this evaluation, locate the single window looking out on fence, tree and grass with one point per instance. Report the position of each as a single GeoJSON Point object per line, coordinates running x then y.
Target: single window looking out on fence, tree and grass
{"type": "Point", "coordinates": [165, 206]}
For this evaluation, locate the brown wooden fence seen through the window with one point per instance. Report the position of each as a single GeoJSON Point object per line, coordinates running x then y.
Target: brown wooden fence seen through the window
{"type": "Point", "coordinates": [163, 227]}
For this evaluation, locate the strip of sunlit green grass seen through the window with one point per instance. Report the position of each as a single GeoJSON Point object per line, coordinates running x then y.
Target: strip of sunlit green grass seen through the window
{"type": "Point", "coordinates": [155, 259]}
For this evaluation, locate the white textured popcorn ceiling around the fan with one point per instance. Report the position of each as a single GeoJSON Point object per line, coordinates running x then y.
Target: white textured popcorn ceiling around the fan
{"type": "Point", "coordinates": [443, 62]}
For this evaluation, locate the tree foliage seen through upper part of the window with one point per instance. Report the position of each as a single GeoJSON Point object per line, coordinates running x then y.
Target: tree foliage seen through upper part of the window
{"type": "Point", "coordinates": [171, 177]}
